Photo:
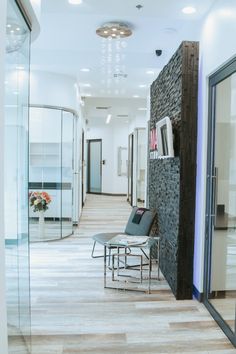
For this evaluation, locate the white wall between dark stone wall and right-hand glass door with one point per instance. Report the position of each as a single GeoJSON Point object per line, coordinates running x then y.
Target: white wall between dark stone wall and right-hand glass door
{"type": "Point", "coordinates": [217, 45]}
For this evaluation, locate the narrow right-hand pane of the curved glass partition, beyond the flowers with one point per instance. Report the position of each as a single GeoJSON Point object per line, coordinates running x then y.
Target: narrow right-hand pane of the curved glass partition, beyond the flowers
{"type": "Point", "coordinates": [67, 173]}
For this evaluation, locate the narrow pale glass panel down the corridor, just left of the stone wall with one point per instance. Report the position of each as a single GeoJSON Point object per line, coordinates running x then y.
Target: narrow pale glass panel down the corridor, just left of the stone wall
{"type": "Point", "coordinates": [141, 166]}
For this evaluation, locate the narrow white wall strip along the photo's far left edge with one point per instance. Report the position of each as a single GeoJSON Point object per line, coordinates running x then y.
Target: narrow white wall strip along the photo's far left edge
{"type": "Point", "coordinates": [3, 321]}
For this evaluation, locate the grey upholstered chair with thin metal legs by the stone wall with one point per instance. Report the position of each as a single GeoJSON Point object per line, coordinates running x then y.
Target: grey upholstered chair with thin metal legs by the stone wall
{"type": "Point", "coordinates": [142, 228]}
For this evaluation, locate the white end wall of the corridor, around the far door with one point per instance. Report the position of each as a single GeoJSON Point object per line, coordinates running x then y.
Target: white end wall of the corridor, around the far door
{"type": "Point", "coordinates": [113, 135]}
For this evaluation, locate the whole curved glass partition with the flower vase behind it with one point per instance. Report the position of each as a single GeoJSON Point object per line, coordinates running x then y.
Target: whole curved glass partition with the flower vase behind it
{"type": "Point", "coordinates": [51, 139]}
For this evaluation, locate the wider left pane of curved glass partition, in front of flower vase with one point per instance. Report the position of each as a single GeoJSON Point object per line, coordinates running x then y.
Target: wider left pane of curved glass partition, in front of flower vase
{"type": "Point", "coordinates": [45, 173]}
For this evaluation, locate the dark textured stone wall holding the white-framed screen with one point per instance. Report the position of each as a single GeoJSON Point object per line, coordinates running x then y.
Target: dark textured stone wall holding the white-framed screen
{"type": "Point", "coordinates": [171, 185]}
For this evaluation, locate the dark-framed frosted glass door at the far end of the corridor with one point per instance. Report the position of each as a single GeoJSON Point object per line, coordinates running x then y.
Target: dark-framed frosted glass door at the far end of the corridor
{"type": "Point", "coordinates": [95, 166]}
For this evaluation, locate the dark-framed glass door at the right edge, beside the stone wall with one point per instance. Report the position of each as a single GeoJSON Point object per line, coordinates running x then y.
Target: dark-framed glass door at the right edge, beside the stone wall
{"type": "Point", "coordinates": [220, 268]}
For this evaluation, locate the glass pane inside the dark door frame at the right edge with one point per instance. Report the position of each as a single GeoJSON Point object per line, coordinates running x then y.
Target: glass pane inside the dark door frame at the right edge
{"type": "Point", "coordinates": [223, 265]}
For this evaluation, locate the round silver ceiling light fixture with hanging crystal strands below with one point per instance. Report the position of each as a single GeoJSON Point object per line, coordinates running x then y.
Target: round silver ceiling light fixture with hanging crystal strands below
{"type": "Point", "coordinates": [114, 30]}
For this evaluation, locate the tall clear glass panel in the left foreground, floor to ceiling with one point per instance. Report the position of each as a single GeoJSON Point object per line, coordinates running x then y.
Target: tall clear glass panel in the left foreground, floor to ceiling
{"type": "Point", "coordinates": [16, 179]}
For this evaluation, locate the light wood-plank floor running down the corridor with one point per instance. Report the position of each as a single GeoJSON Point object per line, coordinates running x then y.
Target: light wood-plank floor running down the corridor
{"type": "Point", "coordinates": [72, 313]}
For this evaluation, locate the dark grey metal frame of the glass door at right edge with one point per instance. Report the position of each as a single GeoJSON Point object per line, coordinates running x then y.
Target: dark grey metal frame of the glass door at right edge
{"type": "Point", "coordinates": [223, 73]}
